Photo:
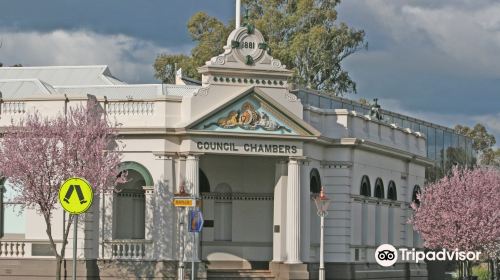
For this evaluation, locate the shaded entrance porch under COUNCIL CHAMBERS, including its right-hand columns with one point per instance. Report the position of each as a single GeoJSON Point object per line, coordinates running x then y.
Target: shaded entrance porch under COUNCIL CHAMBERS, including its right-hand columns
{"type": "Point", "coordinates": [252, 211]}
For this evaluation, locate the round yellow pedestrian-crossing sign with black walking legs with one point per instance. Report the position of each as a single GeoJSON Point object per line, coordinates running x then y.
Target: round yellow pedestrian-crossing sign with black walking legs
{"type": "Point", "coordinates": [76, 195]}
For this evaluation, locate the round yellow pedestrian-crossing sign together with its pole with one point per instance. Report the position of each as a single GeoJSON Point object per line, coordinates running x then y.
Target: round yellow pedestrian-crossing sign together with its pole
{"type": "Point", "coordinates": [75, 204]}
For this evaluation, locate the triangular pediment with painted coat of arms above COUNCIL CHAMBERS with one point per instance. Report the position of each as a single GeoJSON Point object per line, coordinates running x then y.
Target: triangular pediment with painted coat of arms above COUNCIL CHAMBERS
{"type": "Point", "coordinates": [256, 113]}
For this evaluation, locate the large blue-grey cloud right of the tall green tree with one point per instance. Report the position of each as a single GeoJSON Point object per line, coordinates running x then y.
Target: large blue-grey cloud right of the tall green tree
{"type": "Point", "coordinates": [433, 58]}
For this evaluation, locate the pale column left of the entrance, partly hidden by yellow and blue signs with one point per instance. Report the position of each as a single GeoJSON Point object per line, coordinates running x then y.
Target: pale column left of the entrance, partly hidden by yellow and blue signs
{"type": "Point", "coordinates": [192, 185]}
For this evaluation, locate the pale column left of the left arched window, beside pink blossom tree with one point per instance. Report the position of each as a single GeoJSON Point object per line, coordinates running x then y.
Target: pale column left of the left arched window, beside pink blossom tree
{"type": "Point", "coordinates": [107, 223]}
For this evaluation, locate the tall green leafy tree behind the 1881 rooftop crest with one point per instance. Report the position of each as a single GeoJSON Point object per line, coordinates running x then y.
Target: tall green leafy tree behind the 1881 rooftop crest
{"type": "Point", "coordinates": [304, 35]}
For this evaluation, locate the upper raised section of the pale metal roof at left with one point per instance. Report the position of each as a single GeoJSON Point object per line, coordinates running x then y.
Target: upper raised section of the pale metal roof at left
{"type": "Point", "coordinates": [63, 75]}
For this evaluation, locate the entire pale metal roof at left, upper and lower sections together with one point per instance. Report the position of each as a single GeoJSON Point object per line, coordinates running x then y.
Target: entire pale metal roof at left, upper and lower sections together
{"type": "Point", "coordinates": [19, 82]}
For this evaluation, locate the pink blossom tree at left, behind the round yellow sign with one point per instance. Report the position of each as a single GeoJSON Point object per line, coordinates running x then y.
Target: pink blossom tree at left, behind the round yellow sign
{"type": "Point", "coordinates": [38, 154]}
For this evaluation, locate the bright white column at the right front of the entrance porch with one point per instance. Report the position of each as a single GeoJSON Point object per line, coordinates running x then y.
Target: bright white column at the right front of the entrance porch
{"type": "Point", "coordinates": [293, 212]}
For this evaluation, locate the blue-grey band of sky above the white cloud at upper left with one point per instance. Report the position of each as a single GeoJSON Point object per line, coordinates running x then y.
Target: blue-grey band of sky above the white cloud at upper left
{"type": "Point", "coordinates": [159, 21]}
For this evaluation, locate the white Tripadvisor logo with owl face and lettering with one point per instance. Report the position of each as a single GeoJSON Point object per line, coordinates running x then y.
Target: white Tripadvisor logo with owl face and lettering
{"type": "Point", "coordinates": [387, 255]}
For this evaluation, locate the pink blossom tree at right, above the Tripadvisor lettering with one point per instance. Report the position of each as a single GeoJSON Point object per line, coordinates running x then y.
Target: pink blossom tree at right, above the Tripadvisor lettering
{"type": "Point", "coordinates": [460, 211]}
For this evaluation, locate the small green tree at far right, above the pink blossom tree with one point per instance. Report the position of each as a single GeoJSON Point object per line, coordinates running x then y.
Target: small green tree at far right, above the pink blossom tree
{"type": "Point", "coordinates": [482, 143]}
